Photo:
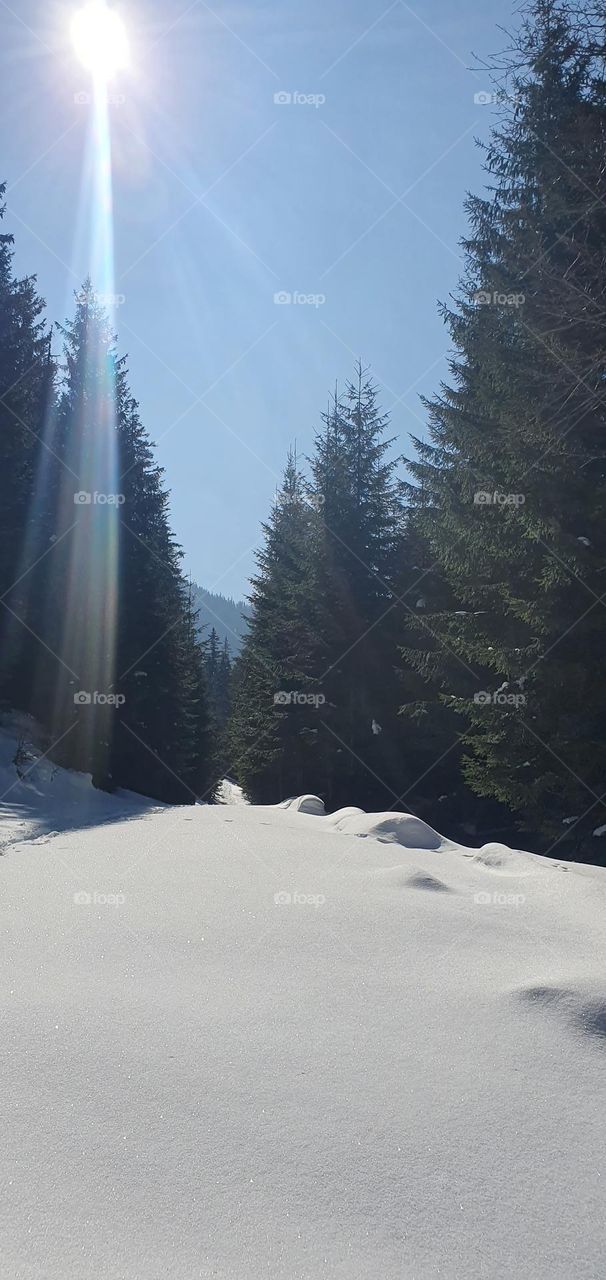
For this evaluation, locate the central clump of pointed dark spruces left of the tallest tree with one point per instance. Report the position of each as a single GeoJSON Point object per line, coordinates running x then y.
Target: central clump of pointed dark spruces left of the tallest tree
{"type": "Point", "coordinates": [322, 639]}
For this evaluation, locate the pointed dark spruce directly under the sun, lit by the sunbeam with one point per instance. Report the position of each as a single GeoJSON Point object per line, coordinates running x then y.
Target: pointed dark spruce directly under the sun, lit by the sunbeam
{"type": "Point", "coordinates": [119, 618]}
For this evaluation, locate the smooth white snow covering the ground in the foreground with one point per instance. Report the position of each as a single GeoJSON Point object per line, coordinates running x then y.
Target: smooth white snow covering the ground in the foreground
{"type": "Point", "coordinates": [244, 1043]}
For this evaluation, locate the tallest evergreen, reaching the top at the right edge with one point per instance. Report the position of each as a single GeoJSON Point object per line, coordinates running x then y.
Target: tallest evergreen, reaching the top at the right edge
{"type": "Point", "coordinates": [513, 484]}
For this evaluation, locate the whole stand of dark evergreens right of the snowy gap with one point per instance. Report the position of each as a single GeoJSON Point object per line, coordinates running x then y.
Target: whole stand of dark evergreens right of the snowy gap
{"type": "Point", "coordinates": [427, 643]}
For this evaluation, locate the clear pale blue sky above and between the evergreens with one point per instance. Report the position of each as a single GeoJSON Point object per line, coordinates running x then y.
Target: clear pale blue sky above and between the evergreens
{"type": "Point", "coordinates": [352, 193]}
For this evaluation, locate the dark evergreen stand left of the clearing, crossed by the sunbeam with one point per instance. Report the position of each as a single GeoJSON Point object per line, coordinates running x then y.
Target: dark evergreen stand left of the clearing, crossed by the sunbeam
{"type": "Point", "coordinates": [98, 630]}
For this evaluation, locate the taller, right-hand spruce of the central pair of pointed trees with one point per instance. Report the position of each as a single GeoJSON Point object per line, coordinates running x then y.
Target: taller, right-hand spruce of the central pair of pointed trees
{"type": "Point", "coordinates": [357, 540]}
